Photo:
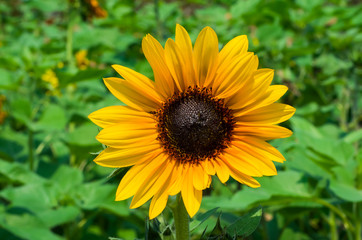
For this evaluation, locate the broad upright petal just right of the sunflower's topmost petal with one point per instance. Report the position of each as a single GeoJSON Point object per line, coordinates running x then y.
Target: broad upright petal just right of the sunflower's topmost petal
{"type": "Point", "coordinates": [206, 52]}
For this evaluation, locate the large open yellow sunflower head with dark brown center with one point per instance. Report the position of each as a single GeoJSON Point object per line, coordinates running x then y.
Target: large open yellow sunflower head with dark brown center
{"type": "Point", "coordinates": [208, 112]}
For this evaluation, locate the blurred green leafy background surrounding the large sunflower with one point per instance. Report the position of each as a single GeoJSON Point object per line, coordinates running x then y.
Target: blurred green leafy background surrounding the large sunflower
{"type": "Point", "coordinates": [53, 55]}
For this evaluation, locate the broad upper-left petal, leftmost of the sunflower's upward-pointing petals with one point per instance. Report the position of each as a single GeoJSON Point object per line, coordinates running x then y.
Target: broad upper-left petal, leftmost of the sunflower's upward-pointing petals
{"type": "Point", "coordinates": [155, 55]}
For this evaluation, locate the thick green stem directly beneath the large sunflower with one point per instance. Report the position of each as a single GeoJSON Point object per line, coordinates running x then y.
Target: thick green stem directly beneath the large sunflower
{"type": "Point", "coordinates": [182, 219]}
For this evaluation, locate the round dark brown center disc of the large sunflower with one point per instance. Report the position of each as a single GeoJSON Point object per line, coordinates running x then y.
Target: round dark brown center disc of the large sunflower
{"type": "Point", "coordinates": [194, 126]}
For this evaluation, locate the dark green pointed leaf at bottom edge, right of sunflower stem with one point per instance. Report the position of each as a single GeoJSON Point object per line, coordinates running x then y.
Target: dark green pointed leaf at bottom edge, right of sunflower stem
{"type": "Point", "coordinates": [245, 225]}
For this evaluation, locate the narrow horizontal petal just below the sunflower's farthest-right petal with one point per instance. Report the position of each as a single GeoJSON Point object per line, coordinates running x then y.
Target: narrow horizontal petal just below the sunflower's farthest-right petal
{"type": "Point", "coordinates": [267, 132]}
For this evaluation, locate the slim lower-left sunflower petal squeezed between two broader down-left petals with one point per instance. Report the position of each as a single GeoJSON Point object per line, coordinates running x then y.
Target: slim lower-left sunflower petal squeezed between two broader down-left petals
{"type": "Point", "coordinates": [153, 183]}
